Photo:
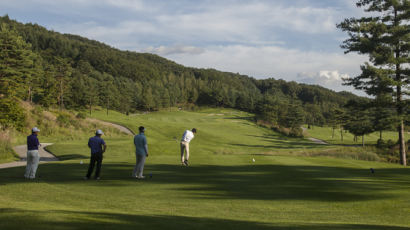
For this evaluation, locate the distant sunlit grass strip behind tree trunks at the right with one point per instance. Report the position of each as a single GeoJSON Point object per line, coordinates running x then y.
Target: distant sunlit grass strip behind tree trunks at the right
{"type": "Point", "coordinates": [325, 134]}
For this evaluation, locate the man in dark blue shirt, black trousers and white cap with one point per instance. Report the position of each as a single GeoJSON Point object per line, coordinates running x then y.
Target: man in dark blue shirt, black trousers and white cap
{"type": "Point", "coordinates": [98, 147]}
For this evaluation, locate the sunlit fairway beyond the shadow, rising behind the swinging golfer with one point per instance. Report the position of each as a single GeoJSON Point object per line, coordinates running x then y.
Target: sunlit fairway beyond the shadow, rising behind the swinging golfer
{"type": "Point", "coordinates": [221, 131]}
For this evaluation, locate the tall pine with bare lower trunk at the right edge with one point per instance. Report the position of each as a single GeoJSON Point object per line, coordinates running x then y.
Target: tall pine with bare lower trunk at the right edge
{"type": "Point", "coordinates": [385, 37]}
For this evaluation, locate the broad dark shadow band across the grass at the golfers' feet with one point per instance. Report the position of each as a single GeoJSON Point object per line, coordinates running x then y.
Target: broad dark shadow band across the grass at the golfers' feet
{"type": "Point", "coordinates": [251, 182]}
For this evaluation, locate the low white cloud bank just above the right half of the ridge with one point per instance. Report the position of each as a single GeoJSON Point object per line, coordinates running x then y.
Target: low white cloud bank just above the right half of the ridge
{"type": "Point", "coordinates": [313, 67]}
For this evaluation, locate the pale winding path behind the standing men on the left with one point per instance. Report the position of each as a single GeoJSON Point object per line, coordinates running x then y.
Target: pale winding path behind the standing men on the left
{"type": "Point", "coordinates": [46, 156]}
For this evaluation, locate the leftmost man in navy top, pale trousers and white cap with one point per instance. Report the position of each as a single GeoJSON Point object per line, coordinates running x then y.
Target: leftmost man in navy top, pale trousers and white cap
{"type": "Point", "coordinates": [32, 154]}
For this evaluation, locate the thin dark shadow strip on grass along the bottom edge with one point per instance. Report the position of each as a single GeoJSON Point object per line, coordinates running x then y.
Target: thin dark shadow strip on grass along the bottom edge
{"type": "Point", "coordinates": [58, 219]}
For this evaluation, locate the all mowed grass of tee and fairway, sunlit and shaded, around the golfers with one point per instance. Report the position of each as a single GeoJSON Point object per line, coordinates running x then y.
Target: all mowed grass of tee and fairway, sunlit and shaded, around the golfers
{"type": "Point", "coordinates": [221, 189]}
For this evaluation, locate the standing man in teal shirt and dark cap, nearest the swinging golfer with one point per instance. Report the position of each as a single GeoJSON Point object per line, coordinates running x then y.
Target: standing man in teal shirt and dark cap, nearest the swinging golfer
{"type": "Point", "coordinates": [141, 152]}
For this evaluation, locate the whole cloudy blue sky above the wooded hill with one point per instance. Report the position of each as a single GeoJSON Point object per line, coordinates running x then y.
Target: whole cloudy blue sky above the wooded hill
{"type": "Point", "coordinates": [293, 40]}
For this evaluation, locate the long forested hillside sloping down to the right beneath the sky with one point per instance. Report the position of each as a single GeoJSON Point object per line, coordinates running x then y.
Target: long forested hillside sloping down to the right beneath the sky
{"type": "Point", "coordinates": [54, 69]}
